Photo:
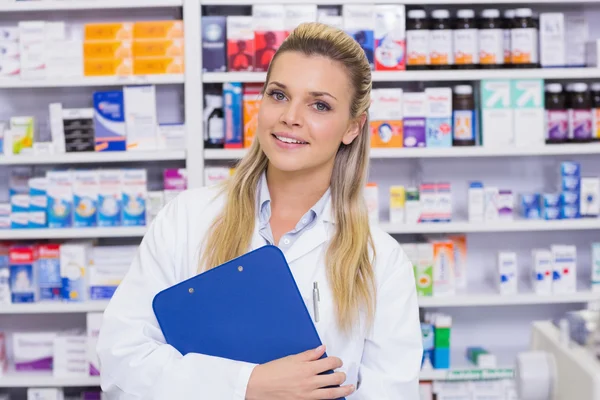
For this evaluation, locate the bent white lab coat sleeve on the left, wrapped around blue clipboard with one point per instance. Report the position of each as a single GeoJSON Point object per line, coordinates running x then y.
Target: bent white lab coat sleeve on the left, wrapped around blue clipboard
{"type": "Point", "coordinates": [134, 359]}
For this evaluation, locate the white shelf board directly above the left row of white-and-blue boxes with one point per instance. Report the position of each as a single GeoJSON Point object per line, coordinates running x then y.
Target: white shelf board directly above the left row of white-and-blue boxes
{"type": "Point", "coordinates": [92, 157]}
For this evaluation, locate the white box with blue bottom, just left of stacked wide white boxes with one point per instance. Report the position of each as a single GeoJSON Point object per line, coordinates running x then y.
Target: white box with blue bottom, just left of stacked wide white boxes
{"type": "Point", "coordinates": [74, 264]}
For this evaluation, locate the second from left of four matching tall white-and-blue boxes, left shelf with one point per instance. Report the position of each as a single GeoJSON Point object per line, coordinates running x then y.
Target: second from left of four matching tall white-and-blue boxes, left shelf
{"type": "Point", "coordinates": [85, 198]}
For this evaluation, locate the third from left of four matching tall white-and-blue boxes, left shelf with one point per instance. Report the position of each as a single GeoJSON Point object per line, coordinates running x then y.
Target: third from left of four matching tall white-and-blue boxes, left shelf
{"type": "Point", "coordinates": [110, 197]}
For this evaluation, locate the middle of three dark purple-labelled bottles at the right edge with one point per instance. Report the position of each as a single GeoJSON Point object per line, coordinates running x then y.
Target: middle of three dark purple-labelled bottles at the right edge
{"type": "Point", "coordinates": [580, 114]}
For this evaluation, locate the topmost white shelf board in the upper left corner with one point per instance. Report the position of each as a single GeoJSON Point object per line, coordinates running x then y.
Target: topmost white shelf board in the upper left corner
{"type": "Point", "coordinates": [51, 5]}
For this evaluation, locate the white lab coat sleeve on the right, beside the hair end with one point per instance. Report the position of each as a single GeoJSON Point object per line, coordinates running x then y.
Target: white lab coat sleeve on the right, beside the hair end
{"type": "Point", "coordinates": [393, 349]}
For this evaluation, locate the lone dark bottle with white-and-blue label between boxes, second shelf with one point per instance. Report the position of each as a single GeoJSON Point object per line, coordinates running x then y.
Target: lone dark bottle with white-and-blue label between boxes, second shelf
{"type": "Point", "coordinates": [463, 115]}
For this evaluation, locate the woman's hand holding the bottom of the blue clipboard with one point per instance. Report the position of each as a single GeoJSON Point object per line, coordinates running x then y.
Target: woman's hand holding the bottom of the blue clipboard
{"type": "Point", "coordinates": [297, 377]}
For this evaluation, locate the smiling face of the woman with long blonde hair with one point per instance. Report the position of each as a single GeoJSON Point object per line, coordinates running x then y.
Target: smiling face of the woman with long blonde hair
{"type": "Point", "coordinates": [305, 113]}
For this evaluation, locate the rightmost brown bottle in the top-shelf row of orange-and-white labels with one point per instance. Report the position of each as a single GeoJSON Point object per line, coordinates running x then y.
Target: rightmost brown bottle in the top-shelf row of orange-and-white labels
{"type": "Point", "coordinates": [524, 40]}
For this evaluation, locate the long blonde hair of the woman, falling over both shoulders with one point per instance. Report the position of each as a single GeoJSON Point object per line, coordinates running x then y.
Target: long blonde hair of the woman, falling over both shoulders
{"type": "Point", "coordinates": [348, 258]}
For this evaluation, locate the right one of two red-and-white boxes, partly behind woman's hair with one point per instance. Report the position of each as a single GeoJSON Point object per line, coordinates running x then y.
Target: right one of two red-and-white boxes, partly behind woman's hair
{"type": "Point", "coordinates": [269, 33]}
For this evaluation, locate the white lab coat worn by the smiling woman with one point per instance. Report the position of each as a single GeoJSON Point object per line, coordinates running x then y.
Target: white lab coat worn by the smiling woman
{"type": "Point", "coordinates": [137, 364]}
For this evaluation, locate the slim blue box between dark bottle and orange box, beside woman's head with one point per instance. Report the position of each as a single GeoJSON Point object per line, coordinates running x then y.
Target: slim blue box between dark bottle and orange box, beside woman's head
{"type": "Point", "coordinates": [232, 109]}
